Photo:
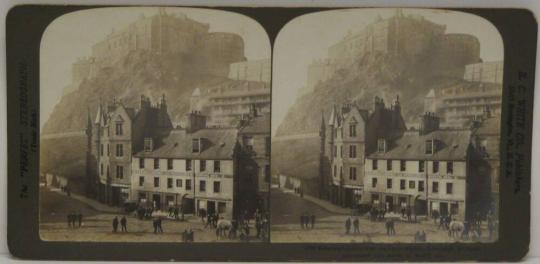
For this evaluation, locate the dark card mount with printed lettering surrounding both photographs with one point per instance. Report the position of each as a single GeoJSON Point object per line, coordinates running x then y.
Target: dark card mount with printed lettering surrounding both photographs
{"type": "Point", "coordinates": [25, 25]}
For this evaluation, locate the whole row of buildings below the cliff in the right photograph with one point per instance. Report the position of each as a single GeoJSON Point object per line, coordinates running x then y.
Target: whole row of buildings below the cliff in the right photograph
{"type": "Point", "coordinates": [371, 158]}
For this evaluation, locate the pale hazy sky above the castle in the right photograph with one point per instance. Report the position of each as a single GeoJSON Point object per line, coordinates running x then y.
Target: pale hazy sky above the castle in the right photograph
{"type": "Point", "coordinates": [308, 37]}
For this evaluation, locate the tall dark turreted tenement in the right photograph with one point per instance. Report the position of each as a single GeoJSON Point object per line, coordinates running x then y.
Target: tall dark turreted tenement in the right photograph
{"type": "Point", "coordinates": [346, 140]}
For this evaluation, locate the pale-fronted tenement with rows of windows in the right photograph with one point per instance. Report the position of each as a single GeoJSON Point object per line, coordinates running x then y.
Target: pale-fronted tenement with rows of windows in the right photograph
{"type": "Point", "coordinates": [430, 169]}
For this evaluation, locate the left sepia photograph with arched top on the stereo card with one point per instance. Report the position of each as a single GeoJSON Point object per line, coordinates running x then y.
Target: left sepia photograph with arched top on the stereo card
{"type": "Point", "coordinates": [154, 126]}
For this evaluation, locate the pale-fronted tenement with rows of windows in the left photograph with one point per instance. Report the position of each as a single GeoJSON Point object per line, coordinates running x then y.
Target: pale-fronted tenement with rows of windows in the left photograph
{"type": "Point", "coordinates": [198, 169]}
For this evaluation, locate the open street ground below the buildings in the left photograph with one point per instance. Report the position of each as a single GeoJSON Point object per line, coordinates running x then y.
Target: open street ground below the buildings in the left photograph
{"type": "Point", "coordinates": [97, 226]}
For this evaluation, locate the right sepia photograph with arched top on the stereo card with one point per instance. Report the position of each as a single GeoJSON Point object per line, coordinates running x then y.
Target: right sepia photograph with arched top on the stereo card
{"type": "Point", "coordinates": [386, 127]}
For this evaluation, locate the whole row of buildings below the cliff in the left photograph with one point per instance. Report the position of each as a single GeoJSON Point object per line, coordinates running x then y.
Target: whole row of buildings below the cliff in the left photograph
{"type": "Point", "coordinates": [136, 155]}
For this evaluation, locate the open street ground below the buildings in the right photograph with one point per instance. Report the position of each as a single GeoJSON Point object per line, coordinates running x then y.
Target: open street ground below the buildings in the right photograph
{"type": "Point", "coordinates": [330, 227]}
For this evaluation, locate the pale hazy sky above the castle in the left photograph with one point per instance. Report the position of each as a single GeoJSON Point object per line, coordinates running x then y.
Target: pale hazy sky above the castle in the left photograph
{"type": "Point", "coordinates": [72, 35]}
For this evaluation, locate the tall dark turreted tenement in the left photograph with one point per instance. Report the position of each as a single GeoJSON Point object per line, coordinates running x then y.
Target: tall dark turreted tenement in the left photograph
{"type": "Point", "coordinates": [114, 136]}
